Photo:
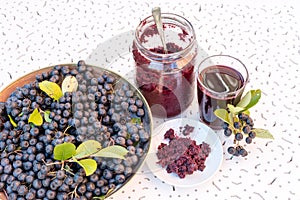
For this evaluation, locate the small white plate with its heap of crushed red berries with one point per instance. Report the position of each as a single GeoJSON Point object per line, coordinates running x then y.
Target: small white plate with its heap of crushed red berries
{"type": "Point", "coordinates": [184, 152]}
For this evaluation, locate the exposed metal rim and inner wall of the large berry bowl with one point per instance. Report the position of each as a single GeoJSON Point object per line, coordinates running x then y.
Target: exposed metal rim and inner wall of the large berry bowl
{"type": "Point", "coordinates": [146, 121]}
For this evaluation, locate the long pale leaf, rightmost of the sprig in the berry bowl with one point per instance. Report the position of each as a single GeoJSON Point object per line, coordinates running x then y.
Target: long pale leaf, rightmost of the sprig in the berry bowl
{"type": "Point", "coordinates": [114, 151]}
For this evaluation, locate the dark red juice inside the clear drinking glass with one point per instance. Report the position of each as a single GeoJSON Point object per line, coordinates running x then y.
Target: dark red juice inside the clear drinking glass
{"type": "Point", "coordinates": [217, 86]}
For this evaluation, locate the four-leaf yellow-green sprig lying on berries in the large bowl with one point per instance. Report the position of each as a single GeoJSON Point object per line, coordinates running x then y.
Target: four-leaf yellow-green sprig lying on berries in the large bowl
{"type": "Point", "coordinates": [83, 154]}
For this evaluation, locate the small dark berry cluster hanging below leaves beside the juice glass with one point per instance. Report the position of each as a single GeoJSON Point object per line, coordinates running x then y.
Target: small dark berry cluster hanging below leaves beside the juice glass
{"type": "Point", "coordinates": [242, 128]}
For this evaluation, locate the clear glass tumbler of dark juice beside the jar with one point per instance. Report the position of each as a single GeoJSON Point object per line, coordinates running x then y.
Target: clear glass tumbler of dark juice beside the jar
{"type": "Point", "coordinates": [221, 81]}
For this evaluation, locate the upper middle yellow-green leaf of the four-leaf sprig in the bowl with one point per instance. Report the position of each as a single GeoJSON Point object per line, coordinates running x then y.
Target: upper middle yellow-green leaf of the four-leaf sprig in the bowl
{"type": "Point", "coordinates": [87, 148]}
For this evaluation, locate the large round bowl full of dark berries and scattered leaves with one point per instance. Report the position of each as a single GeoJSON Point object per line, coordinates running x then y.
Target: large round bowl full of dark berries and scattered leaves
{"type": "Point", "coordinates": [71, 132]}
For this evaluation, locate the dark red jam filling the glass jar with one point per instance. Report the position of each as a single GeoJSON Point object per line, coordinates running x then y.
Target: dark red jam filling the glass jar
{"type": "Point", "coordinates": [174, 91]}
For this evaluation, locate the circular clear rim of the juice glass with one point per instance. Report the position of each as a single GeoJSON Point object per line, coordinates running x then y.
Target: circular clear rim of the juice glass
{"type": "Point", "coordinates": [225, 95]}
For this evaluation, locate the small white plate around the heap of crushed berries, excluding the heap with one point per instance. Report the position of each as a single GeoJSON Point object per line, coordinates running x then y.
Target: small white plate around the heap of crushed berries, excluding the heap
{"type": "Point", "coordinates": [201, 133]}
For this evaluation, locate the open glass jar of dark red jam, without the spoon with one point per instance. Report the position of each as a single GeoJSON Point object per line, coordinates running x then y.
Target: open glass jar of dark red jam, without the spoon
{"type": "Point", "coordinates": [167, 80]}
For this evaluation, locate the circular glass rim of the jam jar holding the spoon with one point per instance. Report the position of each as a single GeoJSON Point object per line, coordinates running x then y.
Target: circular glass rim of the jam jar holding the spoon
{"type": "Point", "coordinates": [170, 16]}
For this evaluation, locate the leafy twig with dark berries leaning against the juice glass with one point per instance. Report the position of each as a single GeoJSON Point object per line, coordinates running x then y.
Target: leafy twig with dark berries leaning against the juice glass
{"type": "Point", "coordinates": [237, 122]}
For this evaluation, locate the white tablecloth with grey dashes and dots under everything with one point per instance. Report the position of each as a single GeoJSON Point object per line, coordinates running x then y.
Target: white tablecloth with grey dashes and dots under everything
{"type": "Point", "coordinates": [263, 34]}
